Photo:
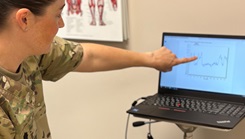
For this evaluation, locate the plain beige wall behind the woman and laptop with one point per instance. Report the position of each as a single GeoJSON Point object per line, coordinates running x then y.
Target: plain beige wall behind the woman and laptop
{"type": "Point", "coordinates": [93, 105]}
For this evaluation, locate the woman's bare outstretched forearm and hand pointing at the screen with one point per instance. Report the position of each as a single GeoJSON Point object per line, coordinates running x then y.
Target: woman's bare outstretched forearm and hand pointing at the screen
{"type": "Point", "coordinates": [102, 58]}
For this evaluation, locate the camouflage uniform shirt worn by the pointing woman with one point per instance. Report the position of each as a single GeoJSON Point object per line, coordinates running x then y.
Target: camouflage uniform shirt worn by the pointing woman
{"type": "Point", "coordinates": [22, 107]}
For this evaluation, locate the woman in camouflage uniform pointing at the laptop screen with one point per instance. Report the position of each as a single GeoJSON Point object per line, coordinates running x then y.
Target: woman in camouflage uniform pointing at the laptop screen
{"type": "Point", "coordinates": [30, 53]}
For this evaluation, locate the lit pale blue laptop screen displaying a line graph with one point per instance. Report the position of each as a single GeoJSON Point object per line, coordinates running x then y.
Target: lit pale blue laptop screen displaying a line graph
{"type": "Point", "coordinates": [220, 66]}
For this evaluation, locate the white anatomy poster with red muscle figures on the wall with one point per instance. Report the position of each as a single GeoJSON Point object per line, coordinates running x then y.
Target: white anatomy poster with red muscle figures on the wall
{"type": "Point", "coordinates": [92, 20]}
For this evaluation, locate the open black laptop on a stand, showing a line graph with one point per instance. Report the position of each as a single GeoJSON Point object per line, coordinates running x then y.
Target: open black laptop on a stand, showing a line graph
{"type": "Point", "coordinates": [208, 92]}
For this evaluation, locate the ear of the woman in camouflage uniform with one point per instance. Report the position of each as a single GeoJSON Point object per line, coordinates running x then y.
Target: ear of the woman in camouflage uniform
{"type": "Point", "coordinates": [23, 18]}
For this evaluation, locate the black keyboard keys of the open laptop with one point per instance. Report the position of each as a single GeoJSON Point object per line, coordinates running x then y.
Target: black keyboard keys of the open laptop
{"type": "Point", "coordinates": [197, 105]}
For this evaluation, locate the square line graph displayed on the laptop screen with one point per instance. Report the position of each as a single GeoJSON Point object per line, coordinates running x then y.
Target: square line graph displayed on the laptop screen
{"type": "Point", "coordinates": [212, 62]}
